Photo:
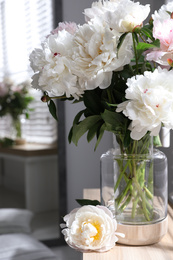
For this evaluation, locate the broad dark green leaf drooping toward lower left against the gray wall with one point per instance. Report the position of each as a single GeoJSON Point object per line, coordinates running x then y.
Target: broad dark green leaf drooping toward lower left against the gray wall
{"type": "Point", "coordinates": [81, 128]}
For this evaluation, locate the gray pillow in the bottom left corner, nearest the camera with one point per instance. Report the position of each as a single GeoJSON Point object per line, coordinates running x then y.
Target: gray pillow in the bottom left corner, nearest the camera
{"type": "Point", "coordinates": [23, 247]}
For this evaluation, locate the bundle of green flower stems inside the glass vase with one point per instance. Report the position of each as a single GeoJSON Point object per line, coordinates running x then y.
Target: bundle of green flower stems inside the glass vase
{"type": "Point", "coordinates": [134, 191]}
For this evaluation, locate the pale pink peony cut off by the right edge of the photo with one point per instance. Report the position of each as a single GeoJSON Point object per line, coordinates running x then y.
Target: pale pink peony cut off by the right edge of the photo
{"type": "Point", "coordinates": [164, 32]}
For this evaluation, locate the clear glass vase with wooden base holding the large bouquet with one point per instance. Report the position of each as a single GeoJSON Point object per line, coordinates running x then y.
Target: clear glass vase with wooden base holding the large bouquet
{"type": "Point", "coordinates": [134, 187]}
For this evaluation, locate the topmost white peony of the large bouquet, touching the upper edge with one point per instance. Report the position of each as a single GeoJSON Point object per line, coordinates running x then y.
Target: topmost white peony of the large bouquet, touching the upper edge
{"type": "Point", "coordinates": [121, 15]}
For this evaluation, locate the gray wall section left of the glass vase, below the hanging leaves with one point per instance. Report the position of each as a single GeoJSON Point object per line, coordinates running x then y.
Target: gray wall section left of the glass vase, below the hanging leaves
{"type": "Point", "coordinates": [82, 162]}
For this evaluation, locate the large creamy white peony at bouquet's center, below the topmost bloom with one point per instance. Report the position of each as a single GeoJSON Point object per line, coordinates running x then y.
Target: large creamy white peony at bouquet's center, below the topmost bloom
{"type": "Point", "coordinates": [95, 54]}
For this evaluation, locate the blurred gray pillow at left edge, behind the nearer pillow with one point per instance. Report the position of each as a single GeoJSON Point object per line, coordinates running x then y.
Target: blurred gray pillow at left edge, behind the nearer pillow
{"type": "Point", "coordinates": [15, 221]}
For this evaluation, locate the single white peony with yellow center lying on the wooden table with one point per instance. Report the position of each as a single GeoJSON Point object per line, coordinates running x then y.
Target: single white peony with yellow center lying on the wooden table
{"type": "Point", "coordinates": [90, 228]}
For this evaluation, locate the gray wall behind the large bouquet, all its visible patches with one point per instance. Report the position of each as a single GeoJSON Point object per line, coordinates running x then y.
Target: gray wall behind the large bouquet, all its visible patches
{"type": "Point", "coordinates": [82, 161]}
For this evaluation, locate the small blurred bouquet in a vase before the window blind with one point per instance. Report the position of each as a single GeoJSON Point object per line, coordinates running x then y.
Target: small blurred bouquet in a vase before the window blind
{"type": "Point", "coordinates": [14, 101]}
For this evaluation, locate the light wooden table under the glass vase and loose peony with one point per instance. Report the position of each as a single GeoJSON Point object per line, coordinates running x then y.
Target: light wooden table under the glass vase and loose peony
{"type": "Point", "coordinates": [160, 251]}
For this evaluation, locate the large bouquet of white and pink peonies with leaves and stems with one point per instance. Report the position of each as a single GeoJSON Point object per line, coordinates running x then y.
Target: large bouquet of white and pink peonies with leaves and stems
{"type": "Point", "coordinates": [121, 69]}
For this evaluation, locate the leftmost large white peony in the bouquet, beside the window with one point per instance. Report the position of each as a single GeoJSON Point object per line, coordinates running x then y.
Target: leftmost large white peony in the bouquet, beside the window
{"type": "Point", "coordinates": [53, 67]}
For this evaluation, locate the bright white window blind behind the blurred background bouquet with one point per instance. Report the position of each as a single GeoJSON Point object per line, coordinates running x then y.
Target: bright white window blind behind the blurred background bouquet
{"type": "Point", "coordinates": [23, 25]}
